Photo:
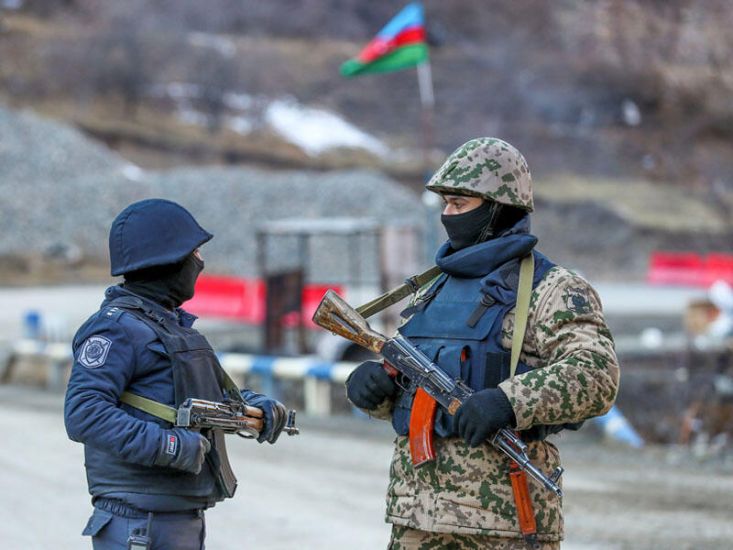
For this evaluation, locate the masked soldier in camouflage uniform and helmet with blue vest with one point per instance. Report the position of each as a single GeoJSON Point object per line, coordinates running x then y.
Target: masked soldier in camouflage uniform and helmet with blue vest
{"type": "Point", "coordinates": [464, 321]}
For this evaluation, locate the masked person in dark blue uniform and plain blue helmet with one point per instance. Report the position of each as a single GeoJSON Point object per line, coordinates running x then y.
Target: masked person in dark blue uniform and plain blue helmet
{"type": "Point", "coordinates": [149, 481]}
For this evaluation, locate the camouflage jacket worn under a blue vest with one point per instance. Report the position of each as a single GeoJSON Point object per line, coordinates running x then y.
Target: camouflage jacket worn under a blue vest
{"type": "Point", "coordinates": [574, 376]}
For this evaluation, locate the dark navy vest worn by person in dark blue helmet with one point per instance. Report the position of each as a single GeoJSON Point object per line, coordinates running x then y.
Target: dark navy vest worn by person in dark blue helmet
{"type": "Point", "coordinates": [196, 374]}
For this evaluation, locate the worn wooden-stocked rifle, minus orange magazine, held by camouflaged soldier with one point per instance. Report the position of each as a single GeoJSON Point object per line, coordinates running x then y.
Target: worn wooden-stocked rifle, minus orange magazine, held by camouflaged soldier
{"type": "Point", "coordinates": [336, 315]}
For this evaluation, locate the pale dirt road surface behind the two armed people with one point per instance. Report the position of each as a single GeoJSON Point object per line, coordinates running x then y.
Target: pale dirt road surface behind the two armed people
{"type": "Point", "coordinates": [325, 489]}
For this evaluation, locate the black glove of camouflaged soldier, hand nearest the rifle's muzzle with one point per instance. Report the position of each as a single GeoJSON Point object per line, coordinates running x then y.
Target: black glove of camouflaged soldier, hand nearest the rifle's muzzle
{"type": "Point", "coordinates": [482, 414]}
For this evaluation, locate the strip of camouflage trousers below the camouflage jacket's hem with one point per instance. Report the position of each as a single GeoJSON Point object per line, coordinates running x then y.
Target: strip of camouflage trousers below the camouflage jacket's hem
{"type": "Point", "coordinates": [404, 538]}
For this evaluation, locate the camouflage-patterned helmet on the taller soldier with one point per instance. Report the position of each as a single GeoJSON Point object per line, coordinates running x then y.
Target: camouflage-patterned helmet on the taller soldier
{"type": "Point", "coordinates": [488, 168]}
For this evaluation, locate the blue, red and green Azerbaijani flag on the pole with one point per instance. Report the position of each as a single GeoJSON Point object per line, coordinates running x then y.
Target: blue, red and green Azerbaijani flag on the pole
{"type": "Point", "coordinates": [400, 44]}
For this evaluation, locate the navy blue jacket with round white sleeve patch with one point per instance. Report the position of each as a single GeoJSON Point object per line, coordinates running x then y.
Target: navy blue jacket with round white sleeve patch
{"type": "Point", "coordinates": [114, 351]}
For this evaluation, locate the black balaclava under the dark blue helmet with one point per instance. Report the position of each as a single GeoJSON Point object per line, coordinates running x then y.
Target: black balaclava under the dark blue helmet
{"type": "Point", "coordinates": [168, 285]}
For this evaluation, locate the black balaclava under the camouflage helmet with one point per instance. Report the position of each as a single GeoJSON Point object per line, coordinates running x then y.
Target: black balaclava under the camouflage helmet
{"type": "Point", "coordinates": [480, 224]}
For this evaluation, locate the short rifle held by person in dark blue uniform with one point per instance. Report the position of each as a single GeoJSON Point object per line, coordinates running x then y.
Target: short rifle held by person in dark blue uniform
{"type": "Point", "coordinates": [229, 416]}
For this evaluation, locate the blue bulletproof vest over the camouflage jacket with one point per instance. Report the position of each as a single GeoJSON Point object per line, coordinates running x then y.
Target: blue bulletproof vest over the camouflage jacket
{"type": "Point", "coordinates": [458, 325]}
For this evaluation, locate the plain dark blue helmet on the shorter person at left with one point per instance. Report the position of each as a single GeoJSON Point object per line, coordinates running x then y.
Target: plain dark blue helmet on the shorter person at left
{"type": "Point", "coordinates": [153, 232]}
